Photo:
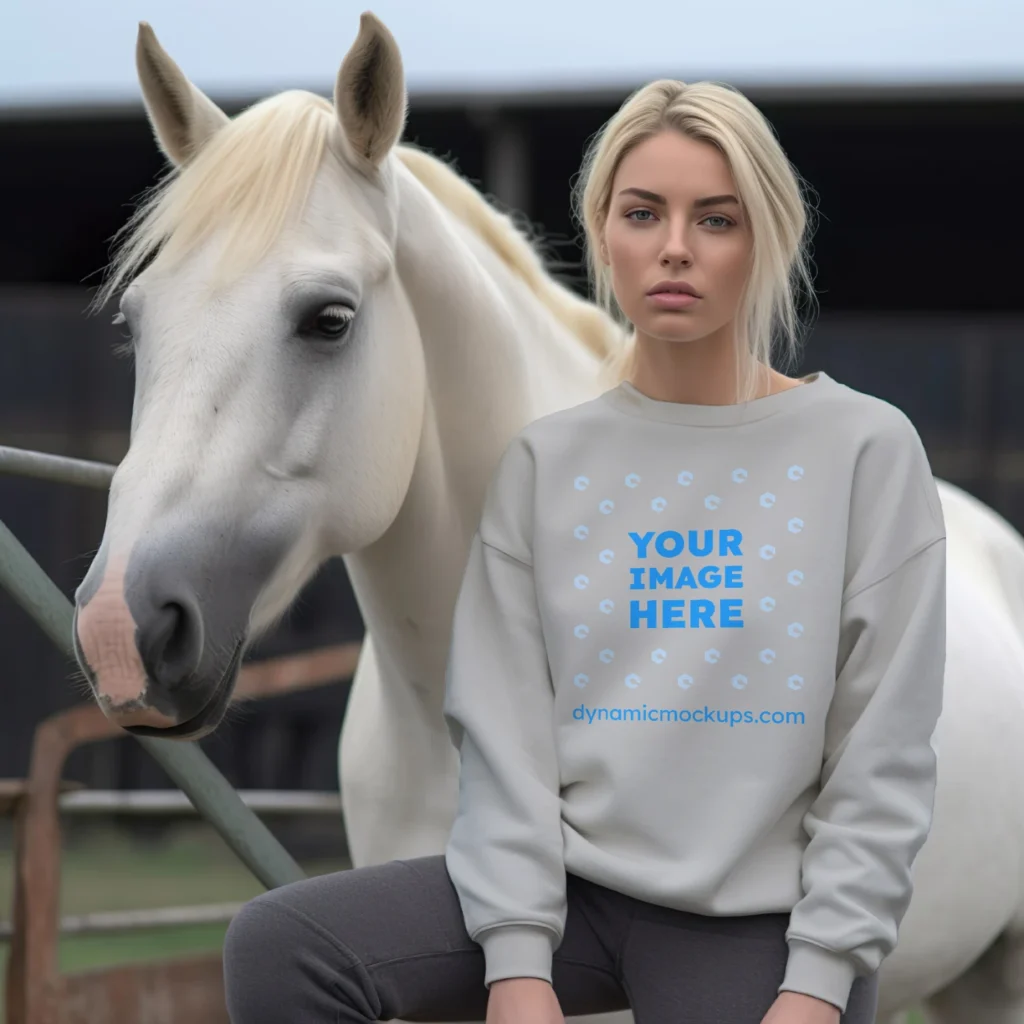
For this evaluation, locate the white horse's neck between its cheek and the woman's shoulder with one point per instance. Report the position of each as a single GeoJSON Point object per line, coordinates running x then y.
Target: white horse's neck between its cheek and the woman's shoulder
{"type": "Point", "coordinates": [496, 359]}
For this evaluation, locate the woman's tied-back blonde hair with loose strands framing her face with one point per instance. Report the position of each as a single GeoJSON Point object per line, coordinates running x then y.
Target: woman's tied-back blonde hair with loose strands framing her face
{"type": "Point", "coordinates": [770, 190]}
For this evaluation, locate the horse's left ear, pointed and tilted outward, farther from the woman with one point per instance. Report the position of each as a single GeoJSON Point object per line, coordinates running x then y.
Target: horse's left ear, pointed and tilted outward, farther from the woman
{"type": "Point", "coordinates": [182, 116]}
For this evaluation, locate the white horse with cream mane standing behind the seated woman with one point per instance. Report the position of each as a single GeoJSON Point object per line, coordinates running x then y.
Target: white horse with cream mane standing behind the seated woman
{"type": "Point", "coordinates": [380, 335]}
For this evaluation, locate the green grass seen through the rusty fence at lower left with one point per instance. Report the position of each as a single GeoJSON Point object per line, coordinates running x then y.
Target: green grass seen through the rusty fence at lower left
{"type": "Point", "coordinates": [107, 872]}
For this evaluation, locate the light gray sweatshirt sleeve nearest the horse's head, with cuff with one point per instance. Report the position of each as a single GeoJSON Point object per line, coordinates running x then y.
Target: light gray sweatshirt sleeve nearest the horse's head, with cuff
{"type": "Point", "coordinates": [504, 854]}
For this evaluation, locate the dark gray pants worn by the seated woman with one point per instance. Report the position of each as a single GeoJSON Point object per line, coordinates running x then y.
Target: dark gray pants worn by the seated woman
{"type": "Point", "coordinates": [385, 943]}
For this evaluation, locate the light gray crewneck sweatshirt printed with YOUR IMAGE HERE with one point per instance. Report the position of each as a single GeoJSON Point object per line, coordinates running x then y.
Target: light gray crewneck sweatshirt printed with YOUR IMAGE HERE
{"type": "Point", "coordinates": [698, 658]}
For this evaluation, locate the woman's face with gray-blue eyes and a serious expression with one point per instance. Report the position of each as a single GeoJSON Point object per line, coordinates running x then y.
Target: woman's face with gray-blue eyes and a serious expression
{"type": "Point", "coordinates": [675, 218]}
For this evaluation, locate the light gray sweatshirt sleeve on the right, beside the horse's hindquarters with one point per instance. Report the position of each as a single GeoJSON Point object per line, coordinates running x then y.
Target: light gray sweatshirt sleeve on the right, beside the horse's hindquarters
{"type": "Point", "coordinates": [874, 810]}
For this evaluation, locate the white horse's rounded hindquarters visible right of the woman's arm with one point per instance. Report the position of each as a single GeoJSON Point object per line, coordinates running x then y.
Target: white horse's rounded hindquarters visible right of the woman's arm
{"type": "Point", "coordinates": [962, 944]}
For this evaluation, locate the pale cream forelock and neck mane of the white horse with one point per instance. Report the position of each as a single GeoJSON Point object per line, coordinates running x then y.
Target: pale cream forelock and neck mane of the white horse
{"type": "Point", "coordinates": [260, 168]}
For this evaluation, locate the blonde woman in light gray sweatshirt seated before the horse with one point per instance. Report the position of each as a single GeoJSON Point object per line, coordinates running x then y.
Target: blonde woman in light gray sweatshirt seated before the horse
{"type": "Point", "coordinates": [696, 666]}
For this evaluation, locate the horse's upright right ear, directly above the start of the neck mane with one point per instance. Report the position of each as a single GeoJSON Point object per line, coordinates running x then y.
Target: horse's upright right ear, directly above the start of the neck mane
{"type": "Point", "coordinates": [370, 94]}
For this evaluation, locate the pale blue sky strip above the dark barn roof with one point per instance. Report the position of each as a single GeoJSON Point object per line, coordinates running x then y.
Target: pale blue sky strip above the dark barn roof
{"type": "Point", "coordinates": [62, 53]}
